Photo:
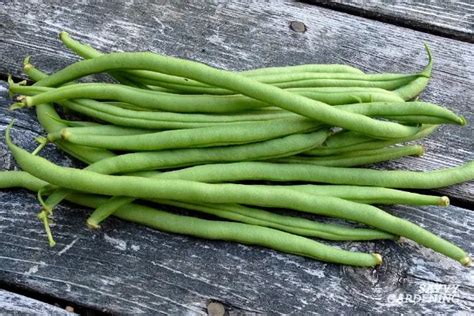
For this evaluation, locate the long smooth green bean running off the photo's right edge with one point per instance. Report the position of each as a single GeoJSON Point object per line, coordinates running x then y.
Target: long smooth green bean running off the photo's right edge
{"type": "Point", "coordinates": [336, 175]}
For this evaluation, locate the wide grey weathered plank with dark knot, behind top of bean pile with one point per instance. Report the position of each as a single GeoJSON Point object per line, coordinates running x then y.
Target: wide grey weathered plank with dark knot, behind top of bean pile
{"type": "Point", "coordinates": [241, 35]}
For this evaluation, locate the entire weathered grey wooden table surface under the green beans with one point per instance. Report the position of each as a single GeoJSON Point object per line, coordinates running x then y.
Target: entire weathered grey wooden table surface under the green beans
{"type": "Point", "coordinates": [129, 269]}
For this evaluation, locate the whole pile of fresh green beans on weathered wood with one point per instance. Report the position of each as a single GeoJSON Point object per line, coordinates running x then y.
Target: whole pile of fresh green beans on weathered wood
{"type": "Point", "coordinates": [183, 135]}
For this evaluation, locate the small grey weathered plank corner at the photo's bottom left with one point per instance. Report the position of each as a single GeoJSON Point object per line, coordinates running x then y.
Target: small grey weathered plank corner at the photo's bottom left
{"type": "Point", "coordinates": [16, 304]}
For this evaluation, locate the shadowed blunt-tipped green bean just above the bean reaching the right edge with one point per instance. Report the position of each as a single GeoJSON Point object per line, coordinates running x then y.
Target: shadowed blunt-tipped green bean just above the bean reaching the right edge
{"type": "Point", "coordinates": [357, 158]}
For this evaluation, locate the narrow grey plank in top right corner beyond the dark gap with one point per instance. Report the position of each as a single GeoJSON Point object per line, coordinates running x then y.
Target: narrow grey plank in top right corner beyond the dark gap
{"type": "Point", "coordinates": [454, 19]}
